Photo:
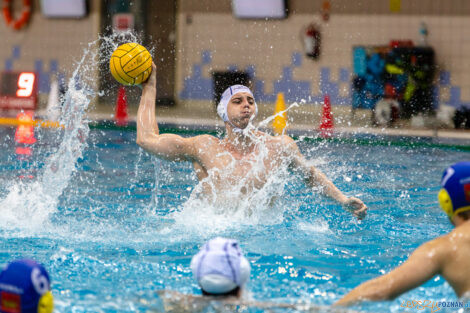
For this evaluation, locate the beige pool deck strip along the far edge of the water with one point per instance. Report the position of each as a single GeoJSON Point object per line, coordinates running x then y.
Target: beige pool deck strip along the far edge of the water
{"type": "Point", "coordinates": [303, 120]}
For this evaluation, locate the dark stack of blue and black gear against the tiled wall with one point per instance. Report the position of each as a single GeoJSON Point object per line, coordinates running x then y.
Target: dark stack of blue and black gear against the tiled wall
{"type": "Point", "coordinates": [401, 72]}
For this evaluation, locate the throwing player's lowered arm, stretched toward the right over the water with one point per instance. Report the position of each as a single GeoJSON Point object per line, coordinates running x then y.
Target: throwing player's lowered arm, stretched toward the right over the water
{"type": "Point", "coordinates": [316, 178]}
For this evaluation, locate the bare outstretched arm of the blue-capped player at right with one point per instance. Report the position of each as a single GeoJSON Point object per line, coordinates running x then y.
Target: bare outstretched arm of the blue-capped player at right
{"type": "Point", "coordinates": [423, 264]}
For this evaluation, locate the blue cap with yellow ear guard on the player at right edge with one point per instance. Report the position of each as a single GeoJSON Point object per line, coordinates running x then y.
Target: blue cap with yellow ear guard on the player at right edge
{"type": "Point", "coordinates": [454, 197]}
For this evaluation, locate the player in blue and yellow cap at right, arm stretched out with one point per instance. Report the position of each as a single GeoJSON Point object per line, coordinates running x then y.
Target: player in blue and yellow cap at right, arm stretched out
{"type": "Point", "coordinates": [447, 255]}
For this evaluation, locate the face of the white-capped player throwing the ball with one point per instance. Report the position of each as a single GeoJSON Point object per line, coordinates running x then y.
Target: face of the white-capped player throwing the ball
{"type": "Point", "coordinates": [240, 108]}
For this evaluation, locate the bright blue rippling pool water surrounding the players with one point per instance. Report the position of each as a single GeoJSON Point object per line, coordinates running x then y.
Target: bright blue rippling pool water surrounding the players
{"type": "Point", "coordinates": [118, 225]}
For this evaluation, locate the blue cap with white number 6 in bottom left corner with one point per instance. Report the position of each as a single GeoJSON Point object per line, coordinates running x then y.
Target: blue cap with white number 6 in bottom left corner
{"type": "Point", "coordinates": [25, 287]}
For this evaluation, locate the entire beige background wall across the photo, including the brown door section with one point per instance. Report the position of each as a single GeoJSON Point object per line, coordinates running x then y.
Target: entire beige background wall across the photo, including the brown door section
{"type": "Point", "coordinates": [209, 38]}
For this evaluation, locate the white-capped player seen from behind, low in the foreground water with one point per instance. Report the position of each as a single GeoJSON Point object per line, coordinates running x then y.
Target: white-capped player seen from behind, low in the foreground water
{"type": "Point", "coordinates": [222, 272]}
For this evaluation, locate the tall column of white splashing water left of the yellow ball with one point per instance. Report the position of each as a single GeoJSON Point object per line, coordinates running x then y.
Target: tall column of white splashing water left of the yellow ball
{"type": "Point", "coordinates": [28, 205]}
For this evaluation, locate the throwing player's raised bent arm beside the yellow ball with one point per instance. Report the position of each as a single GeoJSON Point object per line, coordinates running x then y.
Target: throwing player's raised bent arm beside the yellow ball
{"type": "Point", "coordinates": [167, 146]}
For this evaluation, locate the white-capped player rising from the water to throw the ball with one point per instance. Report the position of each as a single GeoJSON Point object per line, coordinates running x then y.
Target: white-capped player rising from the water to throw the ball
{"type": "Point", "coordinates": [244, 159]}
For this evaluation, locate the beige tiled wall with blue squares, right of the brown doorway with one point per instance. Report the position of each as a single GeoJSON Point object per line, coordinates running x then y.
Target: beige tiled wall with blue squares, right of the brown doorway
{"type": "Point", "coordinates": [273, 52]}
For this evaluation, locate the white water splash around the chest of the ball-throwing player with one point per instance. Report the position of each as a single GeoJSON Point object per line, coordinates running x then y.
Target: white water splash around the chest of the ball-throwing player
{"type": "Point", "coordinates": [227, 199]}
